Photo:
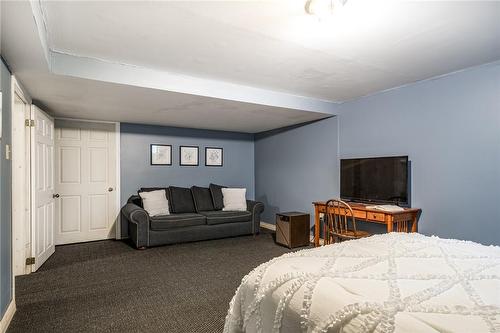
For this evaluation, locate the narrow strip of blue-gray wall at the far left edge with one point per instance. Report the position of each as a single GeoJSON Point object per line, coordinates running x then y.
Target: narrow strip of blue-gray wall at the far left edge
{"type": "Point", "coordinates": [6, 285]}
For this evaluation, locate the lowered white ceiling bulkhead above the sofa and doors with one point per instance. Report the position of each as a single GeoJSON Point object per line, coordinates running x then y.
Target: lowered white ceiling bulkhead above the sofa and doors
{"type": "Point", "coordinates": [79, 96]}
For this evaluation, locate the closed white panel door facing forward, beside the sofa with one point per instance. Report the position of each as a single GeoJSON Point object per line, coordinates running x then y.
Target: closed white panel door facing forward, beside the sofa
{"type": "Point", "coordinates": [86, 207]}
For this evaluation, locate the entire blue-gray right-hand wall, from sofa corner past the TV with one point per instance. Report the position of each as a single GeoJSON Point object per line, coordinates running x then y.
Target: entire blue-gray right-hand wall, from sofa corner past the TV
{"type": "Point", "coordinates": [449, 127]}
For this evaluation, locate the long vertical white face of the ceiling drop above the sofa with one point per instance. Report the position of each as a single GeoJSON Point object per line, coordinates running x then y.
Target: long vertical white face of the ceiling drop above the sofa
{"type": "Point", "coordinates": [101, 70]}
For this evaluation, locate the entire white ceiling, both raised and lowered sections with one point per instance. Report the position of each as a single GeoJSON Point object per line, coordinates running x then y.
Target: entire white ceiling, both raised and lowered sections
{"type": "Point", "coordinates": [212, 55]}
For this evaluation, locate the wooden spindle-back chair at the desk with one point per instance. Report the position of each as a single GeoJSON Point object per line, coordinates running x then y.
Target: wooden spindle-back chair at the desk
{"type": "Point", "coordinates": [336, 227]}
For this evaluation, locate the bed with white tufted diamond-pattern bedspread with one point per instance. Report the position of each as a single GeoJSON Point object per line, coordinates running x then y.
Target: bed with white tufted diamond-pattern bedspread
{"type": "Point", "coordinates": [396, 282]}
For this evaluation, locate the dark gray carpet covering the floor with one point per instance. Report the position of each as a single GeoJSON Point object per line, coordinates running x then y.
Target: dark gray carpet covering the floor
{"type": "Point", "coordinates": [107, 286]}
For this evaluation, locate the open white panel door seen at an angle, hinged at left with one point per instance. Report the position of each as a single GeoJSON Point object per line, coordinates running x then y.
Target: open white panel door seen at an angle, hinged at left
{"type": "Point", "coordinates": [42, 189]}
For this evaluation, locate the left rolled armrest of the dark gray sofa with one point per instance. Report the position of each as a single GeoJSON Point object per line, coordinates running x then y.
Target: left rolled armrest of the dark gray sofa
{"type": "Point", "coordinates": [138, 224]}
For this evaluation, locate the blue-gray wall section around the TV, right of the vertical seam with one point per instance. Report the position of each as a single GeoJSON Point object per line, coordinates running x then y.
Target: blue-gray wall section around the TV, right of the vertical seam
{"type": "Point", "coordinates": [450, 128]}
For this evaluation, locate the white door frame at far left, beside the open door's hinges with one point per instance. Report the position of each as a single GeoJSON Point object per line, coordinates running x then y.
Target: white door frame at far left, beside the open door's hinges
{"type": "Point", "coordinates": [21, 219]}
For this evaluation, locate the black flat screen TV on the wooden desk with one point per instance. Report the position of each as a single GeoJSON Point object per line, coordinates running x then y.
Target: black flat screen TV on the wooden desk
{"type": "Point", "coordinates": [375, 179]}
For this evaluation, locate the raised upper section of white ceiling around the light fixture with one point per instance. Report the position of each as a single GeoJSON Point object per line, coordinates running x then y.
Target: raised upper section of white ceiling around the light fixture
{"type": "Point", "coordinates": [373, 45]}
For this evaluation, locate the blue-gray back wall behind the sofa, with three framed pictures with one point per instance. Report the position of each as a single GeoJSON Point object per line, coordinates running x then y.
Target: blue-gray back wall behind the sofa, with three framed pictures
{"type": "Point", "coordinates": [136, 171]}
